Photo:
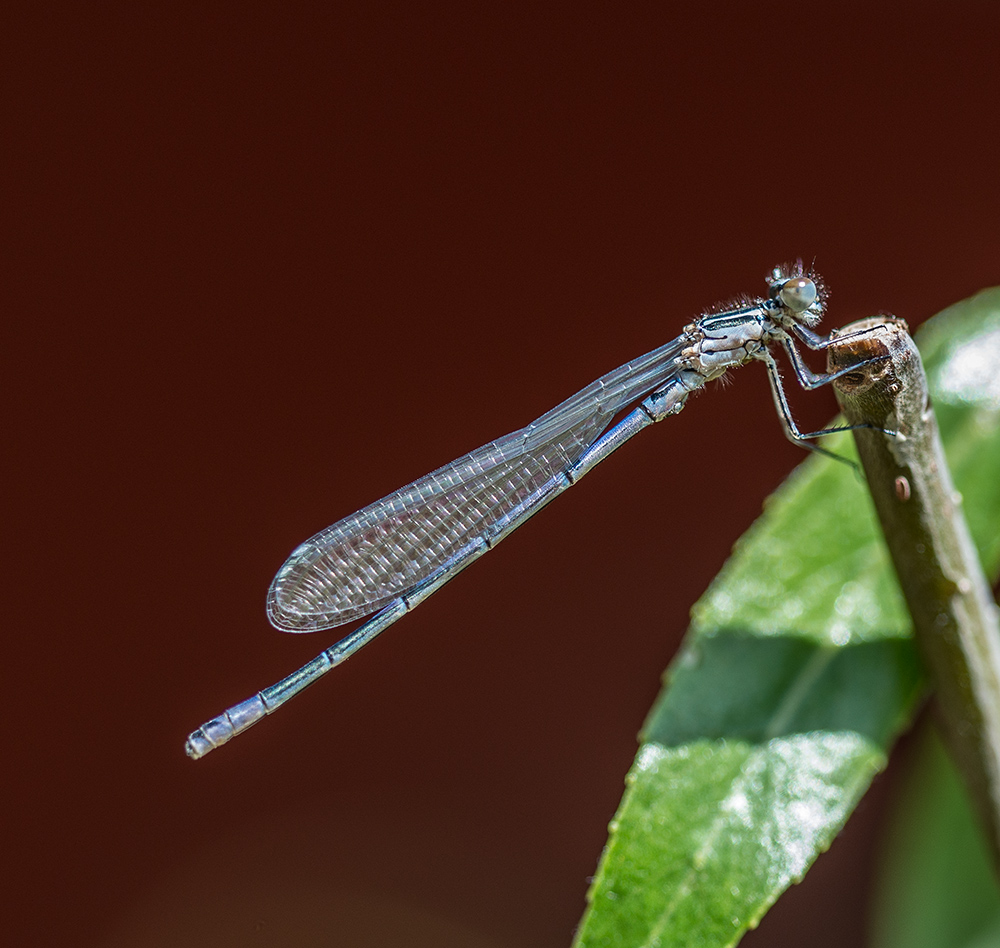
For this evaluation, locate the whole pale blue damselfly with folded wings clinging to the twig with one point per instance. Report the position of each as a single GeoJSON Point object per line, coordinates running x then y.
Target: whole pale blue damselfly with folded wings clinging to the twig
{"type": "Point", "coordinates": [393, 554]}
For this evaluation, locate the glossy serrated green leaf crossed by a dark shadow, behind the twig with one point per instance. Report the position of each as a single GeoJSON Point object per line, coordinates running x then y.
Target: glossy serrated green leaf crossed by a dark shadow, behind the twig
{"type": "Point", "coordinates": [795, 676]}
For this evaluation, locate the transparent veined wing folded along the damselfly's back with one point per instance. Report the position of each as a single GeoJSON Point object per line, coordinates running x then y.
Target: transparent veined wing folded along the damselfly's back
{"type": "Point", "coordinates": [366, 560]}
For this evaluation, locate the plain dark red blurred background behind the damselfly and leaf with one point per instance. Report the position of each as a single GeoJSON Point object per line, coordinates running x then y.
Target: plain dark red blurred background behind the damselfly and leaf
{"type": "Point", "coordinates": [266, 264]}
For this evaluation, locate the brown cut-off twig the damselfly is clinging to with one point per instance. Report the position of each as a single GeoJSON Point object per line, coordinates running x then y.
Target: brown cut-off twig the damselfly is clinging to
{"type": "Point", "coordinates": [949, 598]}
